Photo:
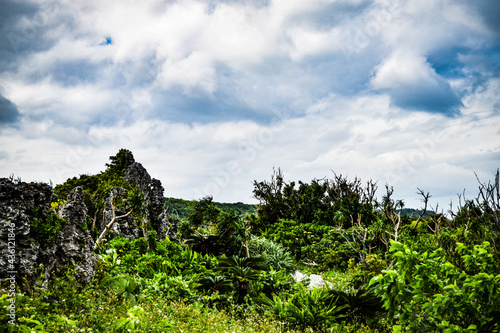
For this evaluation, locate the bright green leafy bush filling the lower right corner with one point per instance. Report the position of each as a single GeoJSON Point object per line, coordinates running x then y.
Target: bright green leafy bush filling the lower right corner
{"type": "Point", "coordinates": [426, 293]}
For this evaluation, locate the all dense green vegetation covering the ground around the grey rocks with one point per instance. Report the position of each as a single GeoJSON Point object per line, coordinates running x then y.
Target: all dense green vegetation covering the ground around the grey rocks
{"type": "Point", "coordinates": [231, 268]}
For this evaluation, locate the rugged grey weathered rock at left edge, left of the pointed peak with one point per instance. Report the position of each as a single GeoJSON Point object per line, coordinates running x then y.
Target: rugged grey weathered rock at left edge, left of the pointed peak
{"type": "Point", "coordinates": [23, 203]}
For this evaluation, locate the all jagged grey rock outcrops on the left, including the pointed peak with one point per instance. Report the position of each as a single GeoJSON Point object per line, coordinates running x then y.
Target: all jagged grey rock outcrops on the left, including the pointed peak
{"type": "Point", "coordinates": [42, 237]}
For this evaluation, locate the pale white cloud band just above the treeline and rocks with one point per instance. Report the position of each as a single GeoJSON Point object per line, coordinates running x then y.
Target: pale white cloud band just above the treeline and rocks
{"type": "Point", "coordinates": [430, 151]}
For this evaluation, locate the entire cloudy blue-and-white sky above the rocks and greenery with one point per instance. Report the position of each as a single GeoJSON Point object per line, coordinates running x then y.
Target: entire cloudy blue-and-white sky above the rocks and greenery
{"type": "Point", "coordinates": [212, 95]}
